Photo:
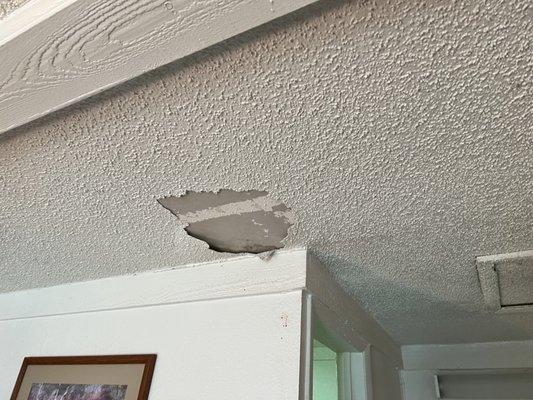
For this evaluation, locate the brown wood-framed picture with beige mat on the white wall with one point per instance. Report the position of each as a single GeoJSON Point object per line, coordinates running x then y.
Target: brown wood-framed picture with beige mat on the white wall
{"type": "Point", "coordinates": [123, 377]}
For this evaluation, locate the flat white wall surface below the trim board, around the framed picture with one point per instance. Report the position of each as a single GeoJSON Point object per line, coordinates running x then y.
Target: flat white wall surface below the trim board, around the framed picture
{"type": "Point", "coordinates": [236, 348]}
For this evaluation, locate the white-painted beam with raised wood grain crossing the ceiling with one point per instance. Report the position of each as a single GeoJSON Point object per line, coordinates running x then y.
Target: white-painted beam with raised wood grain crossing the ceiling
{"type": "Point", "coordinates": [88, 47]}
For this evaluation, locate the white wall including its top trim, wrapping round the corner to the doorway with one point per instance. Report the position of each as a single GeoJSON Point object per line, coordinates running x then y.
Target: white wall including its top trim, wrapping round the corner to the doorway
{"type": "Point", "coordinates": [231, 329]}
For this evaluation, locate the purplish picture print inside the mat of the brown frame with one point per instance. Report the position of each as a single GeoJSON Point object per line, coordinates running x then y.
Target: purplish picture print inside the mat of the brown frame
{"type": "Point", "coordinates": [62, 391]}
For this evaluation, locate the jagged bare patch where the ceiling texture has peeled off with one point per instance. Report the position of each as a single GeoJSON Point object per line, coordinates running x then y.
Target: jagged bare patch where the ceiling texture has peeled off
{"type": "Point", "coordinates": [232, 222]}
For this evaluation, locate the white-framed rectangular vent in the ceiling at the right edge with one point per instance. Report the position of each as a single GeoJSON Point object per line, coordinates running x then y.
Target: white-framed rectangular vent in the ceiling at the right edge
{"type": "Point", "coordinates": [507, 281]}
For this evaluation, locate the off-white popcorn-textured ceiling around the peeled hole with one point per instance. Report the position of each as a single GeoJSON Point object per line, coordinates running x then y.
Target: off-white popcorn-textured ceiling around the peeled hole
{"type": "Point", "coordinates": [399, 133]}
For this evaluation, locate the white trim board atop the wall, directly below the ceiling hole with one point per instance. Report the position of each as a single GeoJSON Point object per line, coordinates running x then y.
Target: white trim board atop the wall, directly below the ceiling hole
{"type": "Point", "coordinates": [229, 278]}
